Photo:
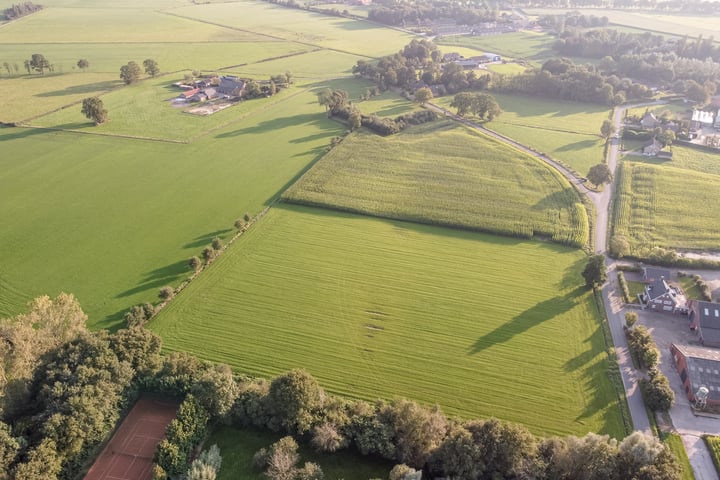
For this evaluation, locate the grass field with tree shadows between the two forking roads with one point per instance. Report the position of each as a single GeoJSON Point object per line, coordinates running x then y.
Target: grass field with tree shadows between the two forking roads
{"type": "Point", "coordinates": [566, 131]}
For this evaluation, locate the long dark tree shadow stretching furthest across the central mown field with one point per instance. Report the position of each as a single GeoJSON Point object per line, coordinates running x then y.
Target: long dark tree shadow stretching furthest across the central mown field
{"type": "Point", "coordinates": [533, 317]}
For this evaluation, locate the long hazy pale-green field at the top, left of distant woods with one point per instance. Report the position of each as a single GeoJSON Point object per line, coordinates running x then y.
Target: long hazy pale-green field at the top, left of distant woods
{"type": "Point", "coordinates": [352, 36]}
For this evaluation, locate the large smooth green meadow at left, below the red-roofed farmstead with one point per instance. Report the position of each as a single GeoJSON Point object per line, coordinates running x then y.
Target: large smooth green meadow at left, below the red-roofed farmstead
{"type": "Point", "coordinates": [112, 220]}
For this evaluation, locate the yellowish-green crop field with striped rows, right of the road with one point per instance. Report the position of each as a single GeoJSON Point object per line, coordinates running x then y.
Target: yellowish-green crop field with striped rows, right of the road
{"type": "Point", "coordinates": [666, 206]}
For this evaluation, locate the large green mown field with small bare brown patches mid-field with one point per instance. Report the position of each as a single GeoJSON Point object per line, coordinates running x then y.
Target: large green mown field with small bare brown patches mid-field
{"type": "Point", "coordinates": [376, 308]}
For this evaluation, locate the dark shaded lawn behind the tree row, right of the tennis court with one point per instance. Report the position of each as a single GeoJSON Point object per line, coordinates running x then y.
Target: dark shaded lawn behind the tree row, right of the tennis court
{"type": "Point", "coordinates": [237, 447]}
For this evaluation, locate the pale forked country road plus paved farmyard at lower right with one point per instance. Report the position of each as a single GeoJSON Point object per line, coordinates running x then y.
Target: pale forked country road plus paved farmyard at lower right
{"type": "Point", "coordinates": [691, 428]}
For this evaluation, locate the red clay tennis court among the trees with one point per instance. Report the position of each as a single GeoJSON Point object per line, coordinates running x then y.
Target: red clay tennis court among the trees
{"type": "Point", "coordinates": [129, 454]}
